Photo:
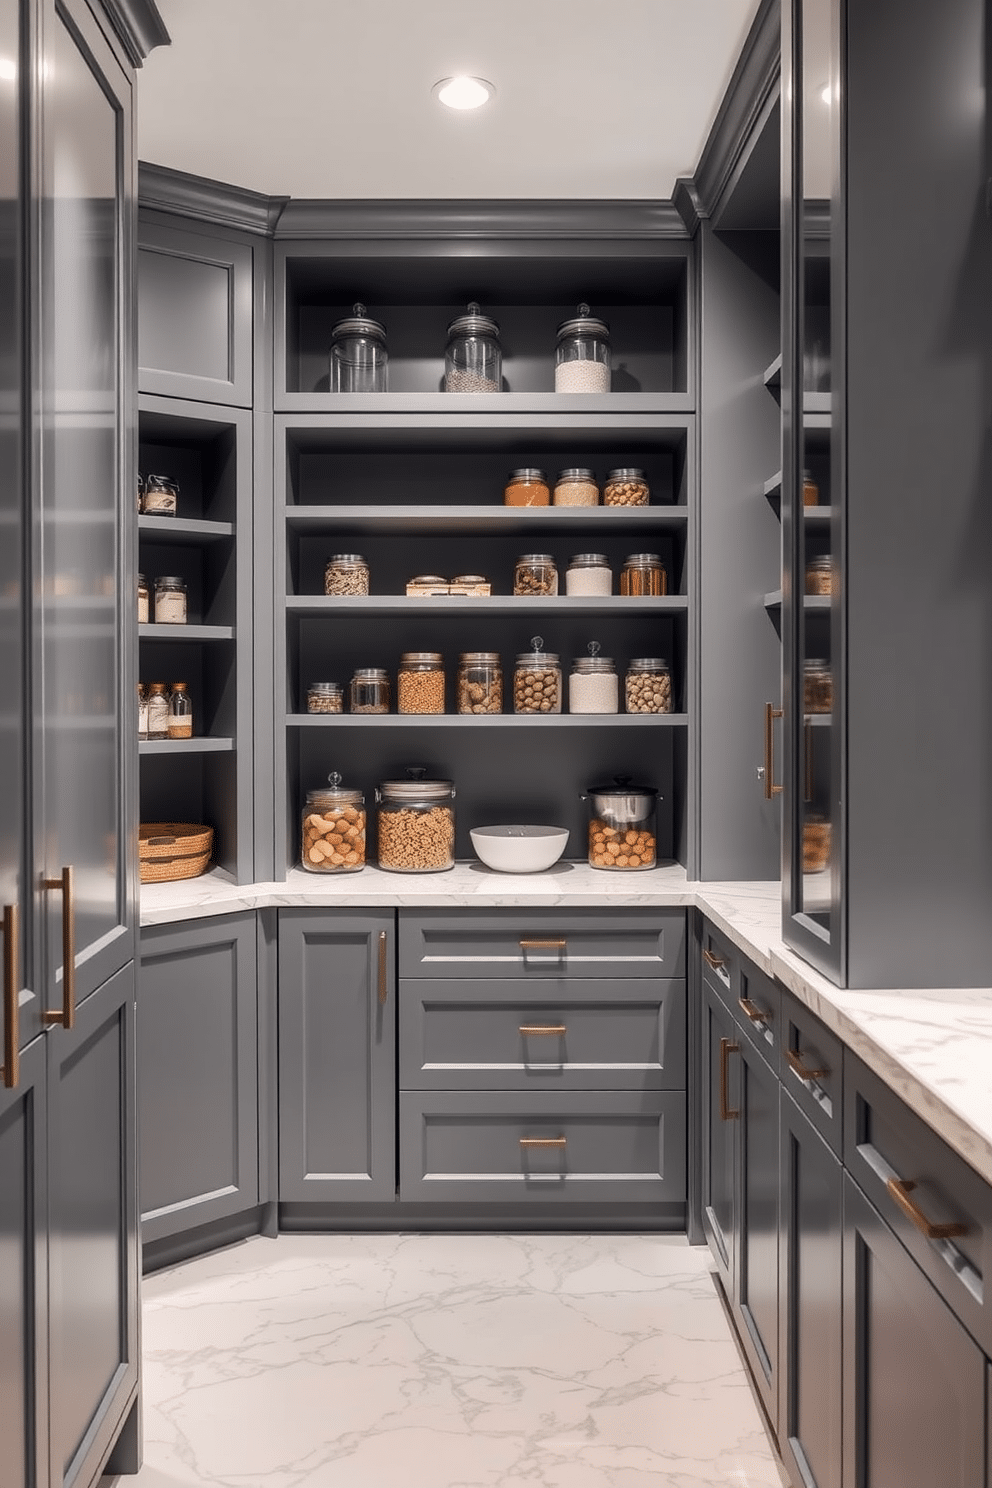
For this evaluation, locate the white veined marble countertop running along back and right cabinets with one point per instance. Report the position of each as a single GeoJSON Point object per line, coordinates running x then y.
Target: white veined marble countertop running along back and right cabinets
{"type": "Point", "coordinates": [932, 1047]}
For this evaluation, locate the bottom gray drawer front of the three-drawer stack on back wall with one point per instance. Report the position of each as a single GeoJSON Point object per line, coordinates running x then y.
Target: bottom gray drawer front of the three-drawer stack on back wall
{"type": "Point", "coordinates": [508, 1148]}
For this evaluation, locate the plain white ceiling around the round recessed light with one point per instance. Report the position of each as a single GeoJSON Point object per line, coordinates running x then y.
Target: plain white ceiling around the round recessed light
{"type": "Point", "coordinates": [334, 97]}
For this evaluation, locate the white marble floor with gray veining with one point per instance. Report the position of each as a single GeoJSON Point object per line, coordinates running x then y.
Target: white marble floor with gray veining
{"type": "Point", "coordinates": [447, 1362]}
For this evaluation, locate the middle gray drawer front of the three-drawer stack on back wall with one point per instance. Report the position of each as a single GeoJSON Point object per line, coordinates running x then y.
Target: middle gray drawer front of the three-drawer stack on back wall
{"type": "Point", "coordinates": [550, 1036]}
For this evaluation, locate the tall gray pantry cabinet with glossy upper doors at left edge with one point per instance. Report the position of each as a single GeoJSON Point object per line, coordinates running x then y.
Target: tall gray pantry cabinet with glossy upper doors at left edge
{"type": "Point", "coordinates": [69, 1371]}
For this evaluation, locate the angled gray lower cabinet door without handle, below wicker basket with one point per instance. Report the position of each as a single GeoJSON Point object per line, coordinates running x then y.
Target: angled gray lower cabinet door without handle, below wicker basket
{"type": "Point", "coordinates": [199, 1074]}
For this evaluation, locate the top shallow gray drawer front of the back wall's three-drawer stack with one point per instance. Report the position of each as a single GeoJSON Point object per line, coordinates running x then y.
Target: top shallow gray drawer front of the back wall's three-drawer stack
{"type": "Point", "coordinates": [532, 944]}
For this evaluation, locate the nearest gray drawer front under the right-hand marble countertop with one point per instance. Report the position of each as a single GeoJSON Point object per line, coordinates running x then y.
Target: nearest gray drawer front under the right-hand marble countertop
{"type": "Point", "coordinates": [915, 1181]}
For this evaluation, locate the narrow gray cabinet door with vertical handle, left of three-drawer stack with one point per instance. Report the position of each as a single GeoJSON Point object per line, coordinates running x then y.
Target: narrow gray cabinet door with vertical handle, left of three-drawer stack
{"type": "Point", "coordinates": [337, 1057]}
